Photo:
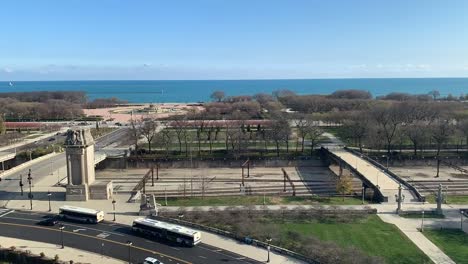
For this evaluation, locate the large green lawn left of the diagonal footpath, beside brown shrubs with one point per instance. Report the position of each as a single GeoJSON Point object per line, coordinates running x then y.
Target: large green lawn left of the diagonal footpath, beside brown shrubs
{"type": "Point", "coordinates": [370, 235]}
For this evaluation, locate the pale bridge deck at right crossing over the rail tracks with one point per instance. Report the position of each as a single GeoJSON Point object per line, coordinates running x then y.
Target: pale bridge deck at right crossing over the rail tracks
{"type": "Point", "coordinates": [373, 175]}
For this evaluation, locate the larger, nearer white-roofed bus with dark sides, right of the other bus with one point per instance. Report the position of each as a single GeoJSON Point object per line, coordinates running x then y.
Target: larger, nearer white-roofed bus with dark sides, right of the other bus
{"type": "Point", "coordinates": [163, 230]}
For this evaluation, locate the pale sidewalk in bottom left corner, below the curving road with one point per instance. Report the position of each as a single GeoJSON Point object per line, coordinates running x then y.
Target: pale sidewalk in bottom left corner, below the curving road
{"type": "Point", "coordinates": [50, 250]}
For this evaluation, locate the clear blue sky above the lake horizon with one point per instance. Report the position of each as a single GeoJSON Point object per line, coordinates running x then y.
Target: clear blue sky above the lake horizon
{"type": "Point", "coordinates": [232, 39]}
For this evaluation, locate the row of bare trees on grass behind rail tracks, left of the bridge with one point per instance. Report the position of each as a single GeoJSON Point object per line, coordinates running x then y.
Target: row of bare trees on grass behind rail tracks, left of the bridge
{"type": "Point", "coordinates": [235, 137]}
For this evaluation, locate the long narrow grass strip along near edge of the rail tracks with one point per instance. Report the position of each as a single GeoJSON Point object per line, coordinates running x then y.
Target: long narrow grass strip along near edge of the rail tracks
{"type": "Point", "coordinates": [258, 200]}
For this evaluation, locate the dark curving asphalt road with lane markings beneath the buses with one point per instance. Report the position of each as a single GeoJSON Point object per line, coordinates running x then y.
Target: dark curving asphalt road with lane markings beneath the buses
{"type": "Point", "coordinates": [110, 239]}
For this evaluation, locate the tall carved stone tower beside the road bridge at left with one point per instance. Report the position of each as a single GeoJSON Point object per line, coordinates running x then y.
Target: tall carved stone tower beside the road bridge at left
{"type": "Point", "coordinates": [79, 151]}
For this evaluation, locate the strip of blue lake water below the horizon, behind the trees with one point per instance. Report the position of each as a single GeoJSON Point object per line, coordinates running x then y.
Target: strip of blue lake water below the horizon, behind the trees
{"type": "Point", "coordinates": [194, 91]}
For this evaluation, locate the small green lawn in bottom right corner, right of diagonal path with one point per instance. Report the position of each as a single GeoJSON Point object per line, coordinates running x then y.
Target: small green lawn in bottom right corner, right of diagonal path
{"type": "Point", "coordinates": [452, 242]}
